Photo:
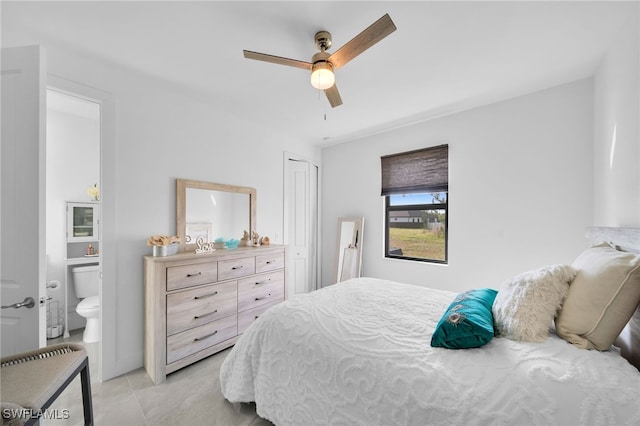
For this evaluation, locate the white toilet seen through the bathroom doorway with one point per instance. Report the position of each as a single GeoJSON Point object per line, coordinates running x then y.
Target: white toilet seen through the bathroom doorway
{"type": "Point", "coordinates": [85, 284]}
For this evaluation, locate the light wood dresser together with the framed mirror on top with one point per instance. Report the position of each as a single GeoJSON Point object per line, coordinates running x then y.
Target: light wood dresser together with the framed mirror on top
{"type": "Point", "coordinates": [198, 302]}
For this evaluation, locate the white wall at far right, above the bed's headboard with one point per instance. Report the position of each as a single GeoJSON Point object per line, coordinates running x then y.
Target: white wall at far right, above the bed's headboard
{"type": "Point", "coordinates": [617, 132]}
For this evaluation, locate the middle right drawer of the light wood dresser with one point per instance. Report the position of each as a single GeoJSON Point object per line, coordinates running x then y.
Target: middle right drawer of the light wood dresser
{"type": "Point", "coordinates": [259, 290]}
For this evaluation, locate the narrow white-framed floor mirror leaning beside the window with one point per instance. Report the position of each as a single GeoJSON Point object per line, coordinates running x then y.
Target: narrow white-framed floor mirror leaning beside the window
{"type": "Point", "coordinates": [349, 248]}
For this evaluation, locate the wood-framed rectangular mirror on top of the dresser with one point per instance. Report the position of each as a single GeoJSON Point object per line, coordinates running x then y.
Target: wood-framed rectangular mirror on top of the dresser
{"type": "Point", "coordinates": [211, 210]}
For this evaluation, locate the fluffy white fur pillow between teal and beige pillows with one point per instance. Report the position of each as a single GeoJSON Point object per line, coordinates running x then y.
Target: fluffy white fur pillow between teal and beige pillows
{"type": "Point", "coordinates": [526, 304]}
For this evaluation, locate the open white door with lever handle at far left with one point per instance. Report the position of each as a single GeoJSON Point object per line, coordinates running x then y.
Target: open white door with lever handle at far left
{"type": "Point", "coordinates": [22, 205]}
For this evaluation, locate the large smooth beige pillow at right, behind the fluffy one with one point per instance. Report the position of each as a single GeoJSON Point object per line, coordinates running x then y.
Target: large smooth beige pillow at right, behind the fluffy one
{"type": "Point", "coordinates": [602, 298]}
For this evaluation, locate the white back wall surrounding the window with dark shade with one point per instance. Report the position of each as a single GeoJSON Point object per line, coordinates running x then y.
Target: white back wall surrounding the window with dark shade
{"type": "Point", "coordinates": [520, 182]}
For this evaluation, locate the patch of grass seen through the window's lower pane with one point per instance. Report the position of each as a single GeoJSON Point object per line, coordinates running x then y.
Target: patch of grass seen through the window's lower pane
{"type": "Point", "coordinates": [419, 243]}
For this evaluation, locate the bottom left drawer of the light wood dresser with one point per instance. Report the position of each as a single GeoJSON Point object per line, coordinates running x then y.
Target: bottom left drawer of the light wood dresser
{"type": "Point", "coordinates": [199, 338]}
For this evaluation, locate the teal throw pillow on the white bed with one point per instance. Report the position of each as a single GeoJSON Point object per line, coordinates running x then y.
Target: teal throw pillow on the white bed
{"type": "Point", "coordinates": [468, 322]}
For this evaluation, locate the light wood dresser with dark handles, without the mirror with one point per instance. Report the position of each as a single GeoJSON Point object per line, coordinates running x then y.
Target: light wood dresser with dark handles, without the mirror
{"type": "Point", "coordinates": [199, 304]}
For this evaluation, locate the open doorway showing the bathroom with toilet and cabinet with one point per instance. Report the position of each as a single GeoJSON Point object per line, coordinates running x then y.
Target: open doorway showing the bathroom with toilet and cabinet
{"type": "Point", "coordinates": [73, 131]}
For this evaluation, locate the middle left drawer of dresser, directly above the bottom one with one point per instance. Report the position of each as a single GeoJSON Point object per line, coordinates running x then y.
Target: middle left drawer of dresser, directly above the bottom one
{"type": "Point", "coordinates": [191, 308]}
